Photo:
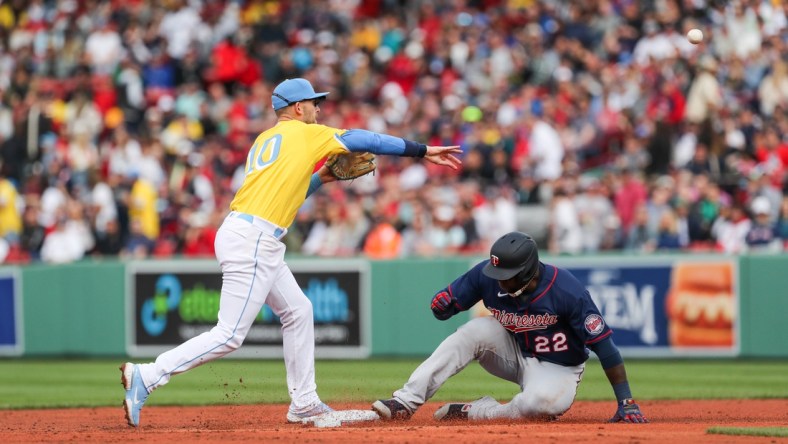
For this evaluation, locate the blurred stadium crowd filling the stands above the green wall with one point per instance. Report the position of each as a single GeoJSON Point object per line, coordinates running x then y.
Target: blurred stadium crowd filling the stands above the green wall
{"type": "Point", "coordinates": [124, 124]}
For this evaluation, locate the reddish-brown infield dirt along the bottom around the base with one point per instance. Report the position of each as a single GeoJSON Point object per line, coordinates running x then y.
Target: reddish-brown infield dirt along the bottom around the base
{"type": "Point", "coordinates": [671, 421]}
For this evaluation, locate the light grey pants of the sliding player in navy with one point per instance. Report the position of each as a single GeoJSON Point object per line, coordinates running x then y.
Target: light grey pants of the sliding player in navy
{"type": "Point", "coordinates": [547, 389]}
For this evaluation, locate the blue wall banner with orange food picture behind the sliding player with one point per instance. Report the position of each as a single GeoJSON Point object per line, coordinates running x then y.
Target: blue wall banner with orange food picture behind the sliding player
{"type": "Point", "coordinates": [664, 306]}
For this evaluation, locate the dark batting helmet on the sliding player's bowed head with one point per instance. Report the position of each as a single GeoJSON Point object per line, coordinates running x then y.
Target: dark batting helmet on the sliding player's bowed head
{"type": "Point", "coordinates": [513, 254]}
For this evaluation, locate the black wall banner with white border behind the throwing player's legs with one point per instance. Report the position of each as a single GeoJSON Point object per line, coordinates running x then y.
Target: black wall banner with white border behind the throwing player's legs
{"type": "Point", "coordinates": [171, 302]}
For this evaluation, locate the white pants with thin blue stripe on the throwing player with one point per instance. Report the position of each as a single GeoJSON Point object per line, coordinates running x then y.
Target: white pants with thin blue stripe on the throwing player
{"type": "Point", "coordinates": [253, 273]}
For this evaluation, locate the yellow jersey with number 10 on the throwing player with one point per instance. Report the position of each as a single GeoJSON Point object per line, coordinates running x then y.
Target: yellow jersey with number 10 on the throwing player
{"type": "Point", "coordinates": [279, 166]}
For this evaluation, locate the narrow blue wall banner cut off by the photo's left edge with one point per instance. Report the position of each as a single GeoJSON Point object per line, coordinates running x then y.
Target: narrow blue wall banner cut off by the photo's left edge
{"type": "Point", "coordinates": [11, 343]}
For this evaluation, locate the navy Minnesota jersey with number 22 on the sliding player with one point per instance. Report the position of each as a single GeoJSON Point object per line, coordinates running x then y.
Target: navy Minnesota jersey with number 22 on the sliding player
{"type": "Point", "coordinates": [555, 323]}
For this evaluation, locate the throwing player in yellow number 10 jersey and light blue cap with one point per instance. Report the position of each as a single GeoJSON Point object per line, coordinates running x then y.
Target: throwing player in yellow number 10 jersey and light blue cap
{"type": "Point", "coordinates": [278, 180]}
